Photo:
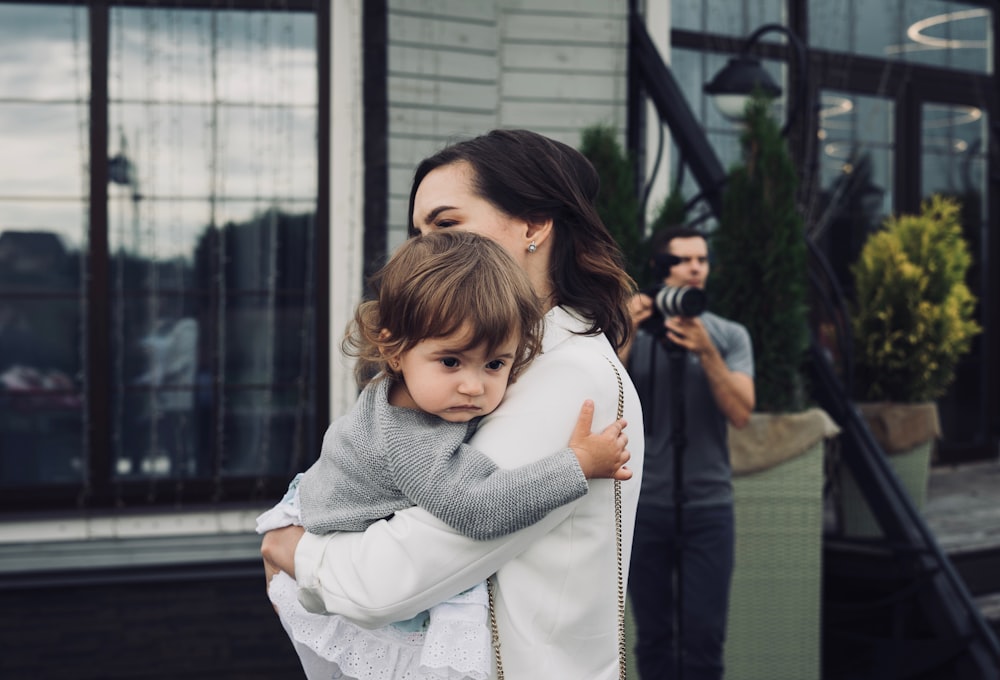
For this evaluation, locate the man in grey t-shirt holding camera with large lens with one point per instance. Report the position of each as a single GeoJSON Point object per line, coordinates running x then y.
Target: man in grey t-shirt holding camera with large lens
{"type": "Point", "coordinates": [694, 374]}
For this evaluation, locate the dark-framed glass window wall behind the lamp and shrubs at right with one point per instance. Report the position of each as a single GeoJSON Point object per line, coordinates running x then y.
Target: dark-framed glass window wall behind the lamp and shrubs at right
{"type": "Point", "coordinates": [902, 103]}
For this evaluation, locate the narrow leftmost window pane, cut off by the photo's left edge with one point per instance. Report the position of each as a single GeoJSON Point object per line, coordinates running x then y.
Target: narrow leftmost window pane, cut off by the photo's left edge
{"type": "Point", "coordinates": [44, 94]}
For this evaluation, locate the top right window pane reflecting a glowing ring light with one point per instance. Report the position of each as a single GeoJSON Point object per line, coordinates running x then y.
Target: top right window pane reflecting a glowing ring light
{"type": "Point", "coordinates": [941, 33]}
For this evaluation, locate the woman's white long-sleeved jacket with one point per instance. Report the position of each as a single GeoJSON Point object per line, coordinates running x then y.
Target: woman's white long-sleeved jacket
{"type": "Point", "coordinates": [557, 579]}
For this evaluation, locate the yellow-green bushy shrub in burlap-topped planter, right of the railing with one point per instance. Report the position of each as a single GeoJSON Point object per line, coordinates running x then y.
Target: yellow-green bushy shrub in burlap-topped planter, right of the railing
{"type": "Point", "coordinates": [912, 320]}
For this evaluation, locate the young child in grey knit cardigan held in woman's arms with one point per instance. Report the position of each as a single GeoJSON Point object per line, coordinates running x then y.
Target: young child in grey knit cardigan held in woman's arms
{"type": "Point", "coordinates": [453, 321]}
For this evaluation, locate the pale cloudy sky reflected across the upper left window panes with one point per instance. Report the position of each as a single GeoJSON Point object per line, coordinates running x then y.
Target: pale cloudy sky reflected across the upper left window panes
{"type": "Point", "coordinates": [200, 101]}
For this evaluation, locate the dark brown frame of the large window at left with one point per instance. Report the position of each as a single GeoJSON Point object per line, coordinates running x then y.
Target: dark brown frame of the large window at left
{"type": "Point", "coordinates": [99, 489]}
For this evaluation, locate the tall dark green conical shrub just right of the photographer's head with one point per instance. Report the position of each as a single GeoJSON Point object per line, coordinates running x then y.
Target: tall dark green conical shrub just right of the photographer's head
{"type": "Point", "coordinates": [759, 275]}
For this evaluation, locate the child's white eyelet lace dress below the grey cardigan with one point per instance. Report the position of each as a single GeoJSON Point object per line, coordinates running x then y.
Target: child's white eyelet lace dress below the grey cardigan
{"type": "Point", "coordinates": [451, 641]}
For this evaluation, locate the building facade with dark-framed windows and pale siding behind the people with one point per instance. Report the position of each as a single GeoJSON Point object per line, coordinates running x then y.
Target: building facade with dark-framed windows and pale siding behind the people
{"type": "Point", "coordinates": [194, 190]}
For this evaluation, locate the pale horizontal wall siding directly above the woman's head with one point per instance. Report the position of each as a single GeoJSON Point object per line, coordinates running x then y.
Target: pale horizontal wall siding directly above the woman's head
{"type": "Point", "coordinates": [460, 68]}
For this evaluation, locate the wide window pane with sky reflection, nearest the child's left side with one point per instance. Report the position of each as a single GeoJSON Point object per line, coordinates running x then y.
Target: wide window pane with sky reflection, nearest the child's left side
{"type": "Point", "coordinates": [213, 116]}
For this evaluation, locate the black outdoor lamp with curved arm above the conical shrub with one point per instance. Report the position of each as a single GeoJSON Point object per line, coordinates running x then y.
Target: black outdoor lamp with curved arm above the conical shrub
{"type": "Point", "coordinates": [732, 86]}
